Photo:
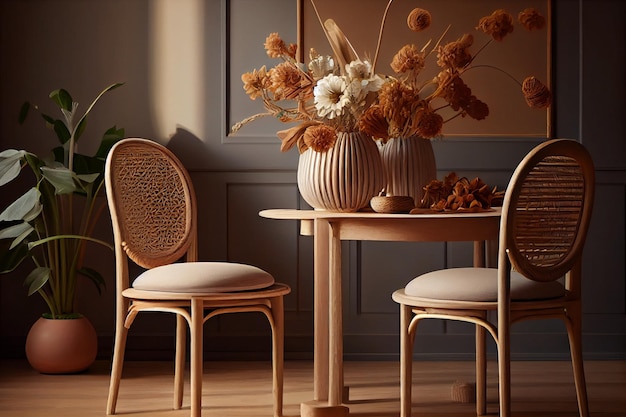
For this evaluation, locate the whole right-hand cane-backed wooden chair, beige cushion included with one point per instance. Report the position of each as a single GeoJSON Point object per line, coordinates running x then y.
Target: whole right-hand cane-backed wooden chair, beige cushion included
{"type": "Point", "coordinates": [545, 217]}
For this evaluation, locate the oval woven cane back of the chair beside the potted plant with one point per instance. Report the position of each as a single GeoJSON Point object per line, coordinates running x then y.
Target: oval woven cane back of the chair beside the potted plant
{"type": "Point", "coordinates": [153, 202]}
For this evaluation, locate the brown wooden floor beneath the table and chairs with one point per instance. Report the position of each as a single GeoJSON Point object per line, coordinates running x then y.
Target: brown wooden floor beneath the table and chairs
{"type": "Point", "coordinates": [234, 389]}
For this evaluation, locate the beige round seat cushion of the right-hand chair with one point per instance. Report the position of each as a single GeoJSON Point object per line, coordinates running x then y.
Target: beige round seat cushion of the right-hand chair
{"type": "Point", "coordinates": [479, 284]}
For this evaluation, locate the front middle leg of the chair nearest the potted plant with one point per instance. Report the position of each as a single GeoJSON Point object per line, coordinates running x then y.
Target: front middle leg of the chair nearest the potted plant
{"type": "Point", "coordinates": [197, 321]}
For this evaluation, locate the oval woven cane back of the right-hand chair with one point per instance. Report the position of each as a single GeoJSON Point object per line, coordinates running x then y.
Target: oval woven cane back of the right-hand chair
{"type": "Point", "coordinates": [547, 209]}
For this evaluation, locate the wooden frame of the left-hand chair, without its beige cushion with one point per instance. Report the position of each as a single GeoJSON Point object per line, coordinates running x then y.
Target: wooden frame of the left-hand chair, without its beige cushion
{"type": "Point", "coordinates": [192, 309]}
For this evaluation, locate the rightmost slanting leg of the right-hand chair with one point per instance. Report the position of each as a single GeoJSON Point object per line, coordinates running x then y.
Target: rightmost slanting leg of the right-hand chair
{"type": "Point", "coordinates": [574, 332]}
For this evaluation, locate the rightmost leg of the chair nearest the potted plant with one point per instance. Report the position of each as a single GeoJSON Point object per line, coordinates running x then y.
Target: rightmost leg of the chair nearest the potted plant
{"type": "Point", "coordinates": [278, 353]}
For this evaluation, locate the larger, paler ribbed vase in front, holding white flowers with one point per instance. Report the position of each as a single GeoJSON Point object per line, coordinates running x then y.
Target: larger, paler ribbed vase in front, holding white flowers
{"type": "Point", "coordinates": [345, 177]}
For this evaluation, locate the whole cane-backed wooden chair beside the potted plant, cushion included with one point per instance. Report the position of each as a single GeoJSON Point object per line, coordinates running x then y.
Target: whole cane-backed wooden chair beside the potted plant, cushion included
{"type": "Point", "coordinates": [153, 211]}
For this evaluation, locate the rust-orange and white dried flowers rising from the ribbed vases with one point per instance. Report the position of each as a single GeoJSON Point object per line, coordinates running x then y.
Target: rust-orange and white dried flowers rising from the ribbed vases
{"type": "Point", "coordinates": [344, 93]}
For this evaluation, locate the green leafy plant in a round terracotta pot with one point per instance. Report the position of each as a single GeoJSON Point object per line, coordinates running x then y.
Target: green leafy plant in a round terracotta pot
{"type": "Point", "coordinates": [50, 225]}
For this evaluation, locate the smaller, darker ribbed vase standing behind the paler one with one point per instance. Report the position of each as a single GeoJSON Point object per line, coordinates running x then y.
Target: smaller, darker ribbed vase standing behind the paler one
{"type": "Point", "coordinates": [409, 165]}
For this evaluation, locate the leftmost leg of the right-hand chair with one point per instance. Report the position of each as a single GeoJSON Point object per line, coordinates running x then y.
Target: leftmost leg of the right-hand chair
{"type": "Point", "coordinates": [406, 361]}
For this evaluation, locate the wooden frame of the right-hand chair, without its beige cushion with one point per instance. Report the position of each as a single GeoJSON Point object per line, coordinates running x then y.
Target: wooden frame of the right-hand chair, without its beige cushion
{"type": "Point", "coordinates": [553, 156]}
